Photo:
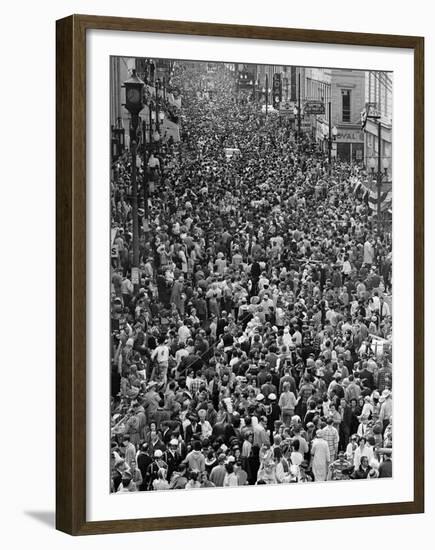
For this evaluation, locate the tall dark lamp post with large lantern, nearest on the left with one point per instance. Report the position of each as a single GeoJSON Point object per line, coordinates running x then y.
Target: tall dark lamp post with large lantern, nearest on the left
{"type": "Point", "coordinates": [134, 105]}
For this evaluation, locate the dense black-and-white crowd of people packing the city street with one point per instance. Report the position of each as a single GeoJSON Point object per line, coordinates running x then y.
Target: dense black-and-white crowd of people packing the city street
{"type": "Point", "coordinates": [256, 348]}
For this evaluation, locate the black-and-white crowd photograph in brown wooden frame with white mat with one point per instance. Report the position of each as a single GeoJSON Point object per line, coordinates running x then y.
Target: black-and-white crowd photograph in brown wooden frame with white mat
{"type": "Point", "coordinates": [239, 275]}
